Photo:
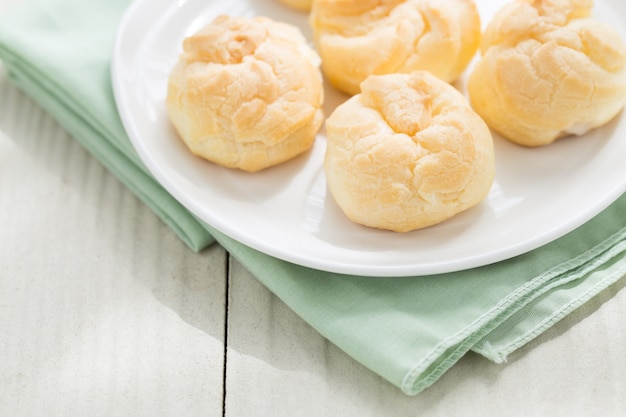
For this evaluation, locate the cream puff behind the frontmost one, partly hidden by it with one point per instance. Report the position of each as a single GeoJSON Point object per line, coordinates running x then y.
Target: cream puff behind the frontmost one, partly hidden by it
{"type": "Point", "coordinates": [357, 38]}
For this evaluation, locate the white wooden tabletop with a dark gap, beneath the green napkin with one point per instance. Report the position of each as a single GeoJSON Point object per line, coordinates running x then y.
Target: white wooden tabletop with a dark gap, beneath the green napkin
{"type": "Point", "coordinates": [104, 312]}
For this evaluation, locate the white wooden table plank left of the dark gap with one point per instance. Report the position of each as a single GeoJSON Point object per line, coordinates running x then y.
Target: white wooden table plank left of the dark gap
{"type": "Point", "coordinates": [103, 310]}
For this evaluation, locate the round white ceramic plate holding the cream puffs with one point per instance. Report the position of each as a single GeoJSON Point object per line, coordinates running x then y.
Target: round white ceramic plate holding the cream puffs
{"type": "Point", "coordinates": [286, 211]}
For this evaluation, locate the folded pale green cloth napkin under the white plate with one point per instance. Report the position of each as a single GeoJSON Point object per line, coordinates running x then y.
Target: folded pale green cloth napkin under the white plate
{"type": "Point", "coordinates": [409, 330]}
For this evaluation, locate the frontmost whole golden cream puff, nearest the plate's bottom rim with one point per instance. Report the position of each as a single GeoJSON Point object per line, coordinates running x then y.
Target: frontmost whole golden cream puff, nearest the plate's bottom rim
{"type": "Point", "coordinates": [407, 152]}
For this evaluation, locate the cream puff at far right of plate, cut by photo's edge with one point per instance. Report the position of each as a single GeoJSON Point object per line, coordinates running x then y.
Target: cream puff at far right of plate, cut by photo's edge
{"type": "Point", "coordinates": [548, 70]}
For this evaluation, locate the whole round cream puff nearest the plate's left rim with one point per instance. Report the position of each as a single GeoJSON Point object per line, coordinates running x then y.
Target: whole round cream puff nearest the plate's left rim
{"type": "Point", "coordinates": [246, 93]}
